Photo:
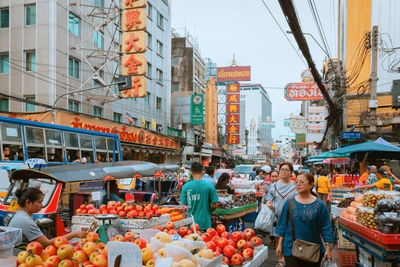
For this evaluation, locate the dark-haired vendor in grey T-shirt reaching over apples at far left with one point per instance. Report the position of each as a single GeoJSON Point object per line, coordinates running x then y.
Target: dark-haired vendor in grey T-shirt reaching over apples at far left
{"type": "Point", "coordinates": [30, 200]}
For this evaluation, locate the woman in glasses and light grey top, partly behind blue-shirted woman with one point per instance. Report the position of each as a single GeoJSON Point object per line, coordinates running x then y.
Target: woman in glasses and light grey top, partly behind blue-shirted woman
{"type": "Point", "coordinates": [278, 193]}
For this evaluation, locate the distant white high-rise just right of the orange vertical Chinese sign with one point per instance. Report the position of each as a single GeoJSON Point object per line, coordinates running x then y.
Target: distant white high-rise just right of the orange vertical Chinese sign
{"type": "Point", "coordinates": [258, 109]}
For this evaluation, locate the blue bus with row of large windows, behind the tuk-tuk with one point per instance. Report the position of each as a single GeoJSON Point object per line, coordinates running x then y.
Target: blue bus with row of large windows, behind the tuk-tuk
{"type": "Point", "coordinates": [21, 140]}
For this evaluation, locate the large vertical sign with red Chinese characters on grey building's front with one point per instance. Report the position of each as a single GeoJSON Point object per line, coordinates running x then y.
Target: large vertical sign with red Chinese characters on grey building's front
{"type": "Point", "coordinates": [134, 45]}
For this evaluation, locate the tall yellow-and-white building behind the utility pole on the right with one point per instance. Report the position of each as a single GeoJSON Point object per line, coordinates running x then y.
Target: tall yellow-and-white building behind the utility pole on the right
{"type": "Point", "coordinates": [356, 20]}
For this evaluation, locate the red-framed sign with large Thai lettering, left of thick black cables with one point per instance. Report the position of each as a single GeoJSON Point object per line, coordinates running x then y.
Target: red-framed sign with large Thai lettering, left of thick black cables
{"type": "Point", "coordinates": [302, 91]}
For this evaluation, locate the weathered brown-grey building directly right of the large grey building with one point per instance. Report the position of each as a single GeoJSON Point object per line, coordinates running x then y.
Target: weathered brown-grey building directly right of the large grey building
{"type": "Point", "coordinates": [188, 78]}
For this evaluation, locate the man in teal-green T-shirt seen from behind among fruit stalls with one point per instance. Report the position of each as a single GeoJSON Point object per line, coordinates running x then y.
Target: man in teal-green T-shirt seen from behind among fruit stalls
{"type": "Point", "coordinates": [200, 196]}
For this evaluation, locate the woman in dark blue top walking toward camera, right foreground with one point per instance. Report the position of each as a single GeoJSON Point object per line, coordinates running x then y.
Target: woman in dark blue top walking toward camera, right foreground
{"type": "Point", "coordinates": [311, 221]}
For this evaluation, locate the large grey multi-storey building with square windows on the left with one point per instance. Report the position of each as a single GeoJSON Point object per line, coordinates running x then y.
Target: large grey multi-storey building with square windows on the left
{"type": "Point", "coordinates": [49, 49]}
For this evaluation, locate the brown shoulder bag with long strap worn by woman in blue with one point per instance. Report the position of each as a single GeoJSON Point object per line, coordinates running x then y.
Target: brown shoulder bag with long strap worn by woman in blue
{"type": "Point", "coordinates": [303, 250]}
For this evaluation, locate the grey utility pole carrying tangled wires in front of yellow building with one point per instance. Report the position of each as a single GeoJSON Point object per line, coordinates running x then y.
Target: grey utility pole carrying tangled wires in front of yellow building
{"type": "Point", "coordinates": [373, 101]}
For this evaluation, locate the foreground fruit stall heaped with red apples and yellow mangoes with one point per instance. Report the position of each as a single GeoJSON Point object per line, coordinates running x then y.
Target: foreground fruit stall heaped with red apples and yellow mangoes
{"type": "Point", "coordinates": [160, 247]}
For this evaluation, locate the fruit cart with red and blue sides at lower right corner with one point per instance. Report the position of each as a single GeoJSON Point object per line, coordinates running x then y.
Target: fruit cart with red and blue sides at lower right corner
{"type": "Point", "coordinates": [370, 223]}
